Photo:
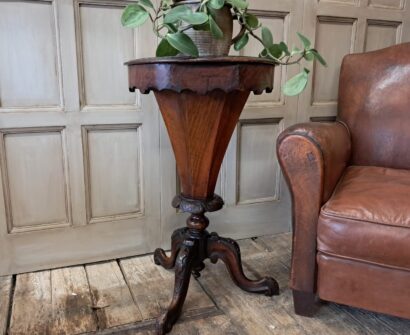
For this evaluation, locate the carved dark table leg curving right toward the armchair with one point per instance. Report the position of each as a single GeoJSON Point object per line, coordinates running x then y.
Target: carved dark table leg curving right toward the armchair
{"type": "Point", "coordinates": [228, 251]}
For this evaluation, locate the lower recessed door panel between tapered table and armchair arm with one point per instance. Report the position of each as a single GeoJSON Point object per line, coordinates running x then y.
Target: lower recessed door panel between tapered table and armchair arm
{"type": "Point", "coordinates": [257, 164]}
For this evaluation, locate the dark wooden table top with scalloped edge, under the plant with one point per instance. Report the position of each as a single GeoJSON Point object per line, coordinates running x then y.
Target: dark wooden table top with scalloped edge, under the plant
{"type": "Point", "coordinates": [201, 75]}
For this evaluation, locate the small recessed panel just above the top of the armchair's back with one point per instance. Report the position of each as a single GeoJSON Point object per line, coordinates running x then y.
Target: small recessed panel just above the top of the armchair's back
{"type": "Point", "coordinates": [381, 34]}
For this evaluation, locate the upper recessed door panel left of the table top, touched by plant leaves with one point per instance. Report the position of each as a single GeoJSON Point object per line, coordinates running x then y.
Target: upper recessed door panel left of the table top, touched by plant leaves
{"type": "Point", "coordinates": [105, 46]}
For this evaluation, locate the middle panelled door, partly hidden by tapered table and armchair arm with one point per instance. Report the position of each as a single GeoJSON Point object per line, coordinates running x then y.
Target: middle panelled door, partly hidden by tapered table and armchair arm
{"type": "Point", "coordinates": [256, 199]}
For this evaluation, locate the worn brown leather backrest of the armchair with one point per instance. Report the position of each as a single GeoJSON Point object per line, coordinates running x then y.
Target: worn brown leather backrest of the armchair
{"type": "Point", "coordinates": [374, 101]}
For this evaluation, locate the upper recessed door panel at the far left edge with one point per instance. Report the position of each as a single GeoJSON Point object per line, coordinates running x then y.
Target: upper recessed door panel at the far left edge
{"type": "Point", "coordinates": [29, 61]}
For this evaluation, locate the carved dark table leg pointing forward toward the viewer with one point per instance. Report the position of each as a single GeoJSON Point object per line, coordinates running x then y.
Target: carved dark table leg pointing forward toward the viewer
{"type": "Point", "coordinates": [186, 257]}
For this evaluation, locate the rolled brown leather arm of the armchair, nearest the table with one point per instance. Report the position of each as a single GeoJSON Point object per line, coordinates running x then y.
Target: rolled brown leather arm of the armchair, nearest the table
{"type": "Point", "coordinates": [313, 157]}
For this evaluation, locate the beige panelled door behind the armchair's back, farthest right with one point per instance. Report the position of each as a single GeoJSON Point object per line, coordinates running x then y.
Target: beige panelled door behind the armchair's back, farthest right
{"type": "Point", "coordinates": [340, 27]}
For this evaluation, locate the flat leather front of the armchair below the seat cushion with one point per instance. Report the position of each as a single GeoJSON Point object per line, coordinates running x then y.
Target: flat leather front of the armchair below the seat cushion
{"type": "Point", "coordinates": [364, 285]}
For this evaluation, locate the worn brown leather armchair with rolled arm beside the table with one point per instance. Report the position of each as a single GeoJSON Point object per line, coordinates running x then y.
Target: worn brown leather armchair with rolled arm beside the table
{"type": "Point", "coordinates": [350, 186]}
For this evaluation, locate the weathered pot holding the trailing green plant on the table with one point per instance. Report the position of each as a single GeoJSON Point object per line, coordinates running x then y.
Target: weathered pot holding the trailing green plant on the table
{"type": "Point", "coordinates": [206, 43]}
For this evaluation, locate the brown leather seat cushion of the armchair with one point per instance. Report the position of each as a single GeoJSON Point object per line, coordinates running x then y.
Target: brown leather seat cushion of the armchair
{"type": "Point", "coordinates": [368, 217]}
